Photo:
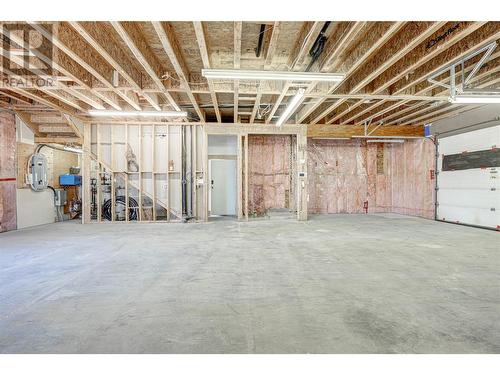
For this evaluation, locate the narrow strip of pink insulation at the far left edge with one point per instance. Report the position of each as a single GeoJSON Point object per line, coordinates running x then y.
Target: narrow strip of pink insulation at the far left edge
{"type": "Point", "coordinates": [8, 220]}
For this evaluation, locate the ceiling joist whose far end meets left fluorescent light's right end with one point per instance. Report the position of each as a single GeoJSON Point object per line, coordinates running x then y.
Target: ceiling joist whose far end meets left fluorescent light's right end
{"type": "Point", "coordinates": [135, 41]}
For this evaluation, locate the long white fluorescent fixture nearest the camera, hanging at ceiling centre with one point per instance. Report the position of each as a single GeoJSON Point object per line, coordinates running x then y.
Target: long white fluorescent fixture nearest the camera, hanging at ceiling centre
{"type": "Point", "coordinates": [270, 75]}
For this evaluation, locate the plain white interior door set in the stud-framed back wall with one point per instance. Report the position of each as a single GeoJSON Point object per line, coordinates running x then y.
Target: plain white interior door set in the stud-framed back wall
{"type": "Point", "coordinates": [223, 187]}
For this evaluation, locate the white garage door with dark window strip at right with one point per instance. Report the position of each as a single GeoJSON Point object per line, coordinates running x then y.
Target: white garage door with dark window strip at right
{"type": "Point", "coordinates": [469, 178]}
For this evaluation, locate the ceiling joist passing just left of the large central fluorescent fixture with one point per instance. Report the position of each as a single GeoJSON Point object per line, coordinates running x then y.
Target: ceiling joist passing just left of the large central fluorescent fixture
{"type": "Point", "coordinates": [169, 43]}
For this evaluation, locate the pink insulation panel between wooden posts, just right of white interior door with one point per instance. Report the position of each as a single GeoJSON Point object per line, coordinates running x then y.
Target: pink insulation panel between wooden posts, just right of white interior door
{"type": "Point", "coordinates": [269, 177]}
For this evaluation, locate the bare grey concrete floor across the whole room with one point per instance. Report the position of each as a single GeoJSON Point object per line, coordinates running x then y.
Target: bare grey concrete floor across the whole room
{"type": "Point", "coordinates": [334, 284]}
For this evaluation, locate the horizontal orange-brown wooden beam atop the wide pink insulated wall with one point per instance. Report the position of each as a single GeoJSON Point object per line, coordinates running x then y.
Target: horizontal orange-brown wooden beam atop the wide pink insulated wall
{"type": "Point", "coordinates": [341, 131]}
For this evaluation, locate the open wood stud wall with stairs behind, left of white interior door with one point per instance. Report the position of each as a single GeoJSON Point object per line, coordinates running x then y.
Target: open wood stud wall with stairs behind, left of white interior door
{"type": "Point", "coordinates": [102, 160]}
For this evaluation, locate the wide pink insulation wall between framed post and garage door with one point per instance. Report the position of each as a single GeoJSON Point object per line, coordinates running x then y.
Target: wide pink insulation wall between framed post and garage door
{"type": "Point", "coordinates": [343, 175]}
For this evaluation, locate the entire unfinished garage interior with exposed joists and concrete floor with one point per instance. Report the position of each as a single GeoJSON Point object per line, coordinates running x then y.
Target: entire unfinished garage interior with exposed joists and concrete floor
{"type": "Point", "coordinates": [273, 187]}
